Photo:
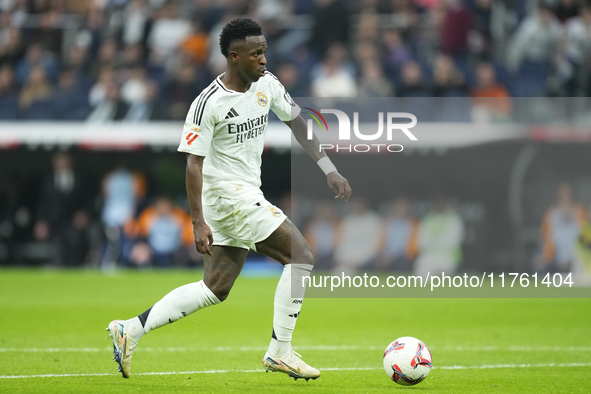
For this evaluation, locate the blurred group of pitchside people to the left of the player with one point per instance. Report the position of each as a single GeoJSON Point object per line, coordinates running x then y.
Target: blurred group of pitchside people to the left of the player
{"type": "Point", "coordinates": [69, 225]}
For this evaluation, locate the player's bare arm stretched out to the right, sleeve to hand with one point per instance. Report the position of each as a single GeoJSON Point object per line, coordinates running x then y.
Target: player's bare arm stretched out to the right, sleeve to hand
{"type": "Point", "coordinates": [336, 181]}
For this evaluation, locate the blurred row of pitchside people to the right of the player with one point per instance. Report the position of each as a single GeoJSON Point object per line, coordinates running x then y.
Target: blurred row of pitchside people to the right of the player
{"type": "Point", "coordinates": [420, 236]}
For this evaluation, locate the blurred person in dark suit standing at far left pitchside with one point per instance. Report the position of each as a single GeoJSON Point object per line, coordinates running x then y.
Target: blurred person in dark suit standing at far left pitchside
{"type": "Point", "coordinates": [62, 217]}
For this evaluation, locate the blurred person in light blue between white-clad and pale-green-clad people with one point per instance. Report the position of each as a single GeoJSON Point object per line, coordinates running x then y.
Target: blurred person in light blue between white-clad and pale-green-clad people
{"type": "Point", "coordinates": [400, 239]}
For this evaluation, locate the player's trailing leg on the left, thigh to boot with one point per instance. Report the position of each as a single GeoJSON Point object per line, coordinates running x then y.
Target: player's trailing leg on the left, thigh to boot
{"type": "Point", "coordinates": [221, 271]}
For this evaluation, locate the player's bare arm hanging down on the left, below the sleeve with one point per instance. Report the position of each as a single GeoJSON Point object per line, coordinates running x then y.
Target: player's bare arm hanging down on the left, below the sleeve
{"type": "Point", "coordinates": [194, 182]}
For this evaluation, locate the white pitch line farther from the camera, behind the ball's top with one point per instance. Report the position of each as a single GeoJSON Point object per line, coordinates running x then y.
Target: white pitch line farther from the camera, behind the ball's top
{"type": "Point", "coordinates": [512, 348]}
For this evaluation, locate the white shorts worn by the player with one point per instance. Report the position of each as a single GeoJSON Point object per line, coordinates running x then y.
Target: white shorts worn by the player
{"type": "Point", "coordinates": [242, 222]}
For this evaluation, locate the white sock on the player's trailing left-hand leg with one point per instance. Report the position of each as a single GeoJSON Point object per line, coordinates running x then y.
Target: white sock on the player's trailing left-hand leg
{"type": "Point", "coordinates": [177, 304]}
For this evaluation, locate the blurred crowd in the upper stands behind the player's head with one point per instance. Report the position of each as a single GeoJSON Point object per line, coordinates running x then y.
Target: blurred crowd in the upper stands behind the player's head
{"type": "Point", "coordinates": [137, 60]}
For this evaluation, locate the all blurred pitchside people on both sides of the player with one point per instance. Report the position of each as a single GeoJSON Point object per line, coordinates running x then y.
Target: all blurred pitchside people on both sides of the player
{"type": "Point", "coordinates": [129, 224]}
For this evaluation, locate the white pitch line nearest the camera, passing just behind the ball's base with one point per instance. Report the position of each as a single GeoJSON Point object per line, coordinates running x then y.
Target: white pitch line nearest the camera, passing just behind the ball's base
{"type": "Point", "coordinates": [448, 367]}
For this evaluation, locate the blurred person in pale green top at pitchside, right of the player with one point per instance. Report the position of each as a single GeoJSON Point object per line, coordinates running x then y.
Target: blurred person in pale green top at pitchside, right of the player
{"type": "Point", "coordinates": [440, 236]}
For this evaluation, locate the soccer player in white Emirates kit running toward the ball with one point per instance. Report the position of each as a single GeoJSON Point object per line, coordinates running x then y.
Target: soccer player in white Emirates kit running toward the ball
{"type": "Point", "coordinates": [224, 138]}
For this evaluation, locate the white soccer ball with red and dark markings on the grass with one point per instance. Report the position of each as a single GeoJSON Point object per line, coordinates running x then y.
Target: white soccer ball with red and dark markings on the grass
{"type": "Point", "coordinates": [407, 361]}
